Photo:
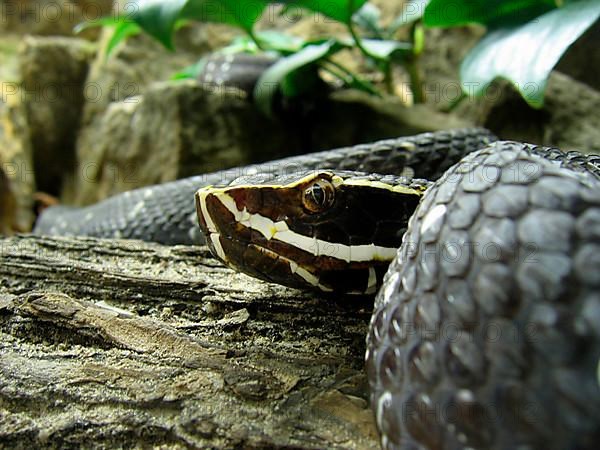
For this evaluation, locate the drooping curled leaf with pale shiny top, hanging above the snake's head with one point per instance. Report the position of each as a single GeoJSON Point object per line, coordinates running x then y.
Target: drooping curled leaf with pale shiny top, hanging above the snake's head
{"type": "Point", "coordinates": [279, 75]}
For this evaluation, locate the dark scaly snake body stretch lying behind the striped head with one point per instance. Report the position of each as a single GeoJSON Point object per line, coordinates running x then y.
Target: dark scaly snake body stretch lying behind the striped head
{"type": "Point", "coordinates": [166, 213]}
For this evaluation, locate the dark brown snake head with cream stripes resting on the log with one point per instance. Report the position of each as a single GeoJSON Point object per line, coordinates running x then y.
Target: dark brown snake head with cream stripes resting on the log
{"type": "Point", "coordinates": [325, 230]}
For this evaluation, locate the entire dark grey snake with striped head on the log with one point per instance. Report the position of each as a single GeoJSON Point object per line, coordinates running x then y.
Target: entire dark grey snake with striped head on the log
{"type": "Point", "coordinates": [483, 257]}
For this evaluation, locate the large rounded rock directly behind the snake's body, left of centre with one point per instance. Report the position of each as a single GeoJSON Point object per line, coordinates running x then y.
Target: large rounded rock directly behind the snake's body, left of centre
{"type": "Point", "coordinates": [173, 130]}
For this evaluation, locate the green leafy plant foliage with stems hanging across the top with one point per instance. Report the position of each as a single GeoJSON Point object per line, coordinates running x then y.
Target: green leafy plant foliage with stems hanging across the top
{"type": "Point", "coordinates": [524, 39]}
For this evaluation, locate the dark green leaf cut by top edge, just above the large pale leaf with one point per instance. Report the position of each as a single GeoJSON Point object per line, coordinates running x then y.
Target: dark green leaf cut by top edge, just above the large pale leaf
{"type": "Point", "coordinates": [442, 13]}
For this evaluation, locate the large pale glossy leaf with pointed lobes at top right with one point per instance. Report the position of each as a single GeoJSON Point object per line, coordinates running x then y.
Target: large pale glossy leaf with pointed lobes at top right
{"type": "Point", "coordinates": [525, 55]}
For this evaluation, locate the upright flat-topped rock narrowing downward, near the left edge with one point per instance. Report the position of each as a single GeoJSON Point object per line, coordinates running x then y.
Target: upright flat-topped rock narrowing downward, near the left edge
{"type": "Point", "coordinates": [52, 72]}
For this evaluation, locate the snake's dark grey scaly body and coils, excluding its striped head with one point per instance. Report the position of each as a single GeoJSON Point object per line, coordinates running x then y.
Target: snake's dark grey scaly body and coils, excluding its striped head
{"type": "Point", "coordinates": [486, 331]}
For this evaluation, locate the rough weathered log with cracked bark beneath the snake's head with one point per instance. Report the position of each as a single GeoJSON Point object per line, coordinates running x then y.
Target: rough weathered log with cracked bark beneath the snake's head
{"type": "Point", "coordinates": [117, 343]}
